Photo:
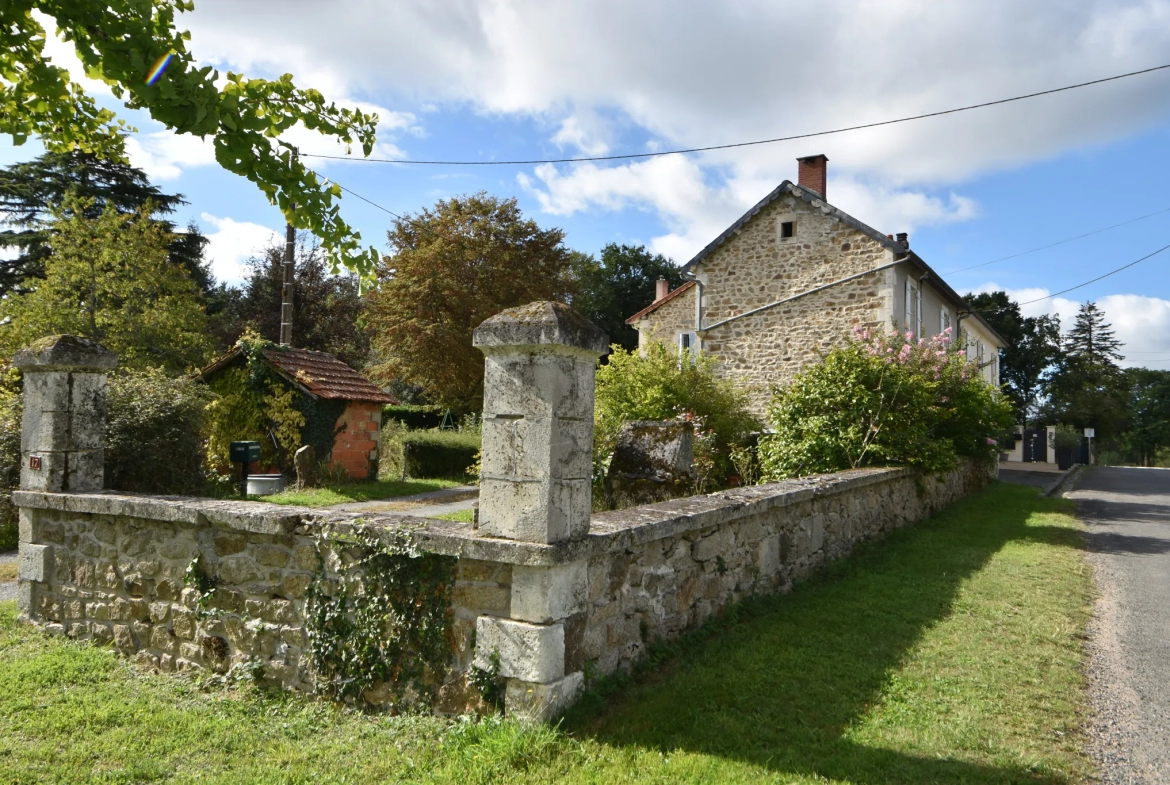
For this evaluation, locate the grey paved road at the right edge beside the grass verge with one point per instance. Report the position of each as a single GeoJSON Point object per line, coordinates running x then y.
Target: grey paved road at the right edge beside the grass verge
{"type": "Point", "coordinates": [1128, 518]}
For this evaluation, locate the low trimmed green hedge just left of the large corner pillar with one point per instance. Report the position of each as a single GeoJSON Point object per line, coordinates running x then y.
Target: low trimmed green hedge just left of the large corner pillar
{"type": "Point", "coordinates": [429, 455]}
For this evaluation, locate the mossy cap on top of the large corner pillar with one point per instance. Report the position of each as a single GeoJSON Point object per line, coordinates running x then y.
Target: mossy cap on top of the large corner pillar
{"type": "Point", "coordinates": [540, 325]}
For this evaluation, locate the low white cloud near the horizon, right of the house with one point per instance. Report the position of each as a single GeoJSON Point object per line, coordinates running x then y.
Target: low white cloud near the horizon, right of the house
{"type": "Point", "coordinates": [1141, 323]}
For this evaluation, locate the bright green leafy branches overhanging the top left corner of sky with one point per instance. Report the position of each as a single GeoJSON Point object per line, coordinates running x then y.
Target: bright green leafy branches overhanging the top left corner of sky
{"type": "Point", "coordinates": [135, 47]}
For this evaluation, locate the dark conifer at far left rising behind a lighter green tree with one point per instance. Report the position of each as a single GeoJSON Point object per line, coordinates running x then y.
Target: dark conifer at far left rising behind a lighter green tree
{"type": "Point", "coordinates": [31, 191]}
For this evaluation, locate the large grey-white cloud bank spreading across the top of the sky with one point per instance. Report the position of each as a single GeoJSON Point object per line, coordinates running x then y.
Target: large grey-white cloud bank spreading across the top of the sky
{"type": "Point", "coordinates": [733, 72]}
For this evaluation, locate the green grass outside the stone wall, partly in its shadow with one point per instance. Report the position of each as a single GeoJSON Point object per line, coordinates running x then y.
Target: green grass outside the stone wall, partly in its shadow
{"type": "Point", "coordinates": [949, 653]}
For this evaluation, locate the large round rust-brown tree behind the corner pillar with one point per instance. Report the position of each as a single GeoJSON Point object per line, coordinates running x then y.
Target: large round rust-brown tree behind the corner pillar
{"type": "Point", "coordinates": [452, 268]}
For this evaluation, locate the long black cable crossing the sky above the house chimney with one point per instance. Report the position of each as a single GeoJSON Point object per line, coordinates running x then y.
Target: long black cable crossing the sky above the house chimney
{"type": "Point", "coordinates": [740, 144]}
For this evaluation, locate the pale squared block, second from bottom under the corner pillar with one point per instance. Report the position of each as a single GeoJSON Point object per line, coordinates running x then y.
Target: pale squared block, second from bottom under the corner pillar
{"type": "Point", "coordinates": [532, 653]}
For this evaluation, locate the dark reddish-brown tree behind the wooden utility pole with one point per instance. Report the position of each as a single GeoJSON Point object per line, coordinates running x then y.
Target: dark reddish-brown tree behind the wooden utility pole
{"type": "Point", "coordinates": [327, 309]}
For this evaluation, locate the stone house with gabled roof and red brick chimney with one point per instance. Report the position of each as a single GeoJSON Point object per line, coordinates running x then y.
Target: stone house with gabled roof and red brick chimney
{"type": "Point", "coordinates": [789, 281]}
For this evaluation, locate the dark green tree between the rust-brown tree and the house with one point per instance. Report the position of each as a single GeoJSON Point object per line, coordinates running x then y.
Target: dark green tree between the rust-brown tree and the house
{"type": "Point", "coordinates": [620, 285]}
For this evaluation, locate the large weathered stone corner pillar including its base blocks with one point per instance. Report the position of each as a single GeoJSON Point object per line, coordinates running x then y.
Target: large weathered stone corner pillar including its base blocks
{"type": "Point", "coordinates": [536, 486]}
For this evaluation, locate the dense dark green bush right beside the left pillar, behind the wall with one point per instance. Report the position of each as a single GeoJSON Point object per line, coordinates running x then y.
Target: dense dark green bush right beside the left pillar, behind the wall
{"type": "Point", "coordinates": [156, 435]}
